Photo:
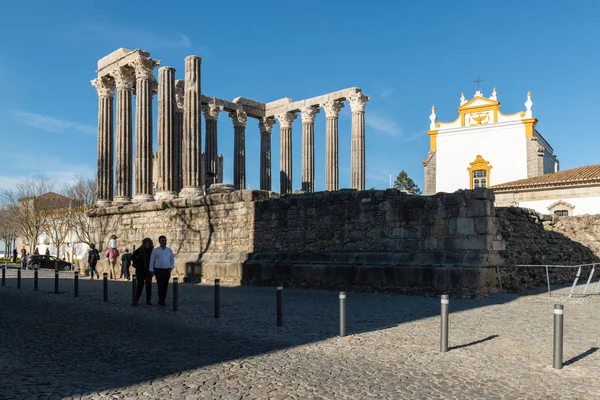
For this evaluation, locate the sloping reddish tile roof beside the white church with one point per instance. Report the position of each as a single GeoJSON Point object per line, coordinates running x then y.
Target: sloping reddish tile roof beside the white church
{"type": "Point", "coordinates": [585, 174]}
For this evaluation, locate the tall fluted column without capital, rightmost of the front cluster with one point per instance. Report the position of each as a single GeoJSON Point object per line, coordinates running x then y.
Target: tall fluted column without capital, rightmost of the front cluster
{"type": "Point", "coordinates": [192, 139]}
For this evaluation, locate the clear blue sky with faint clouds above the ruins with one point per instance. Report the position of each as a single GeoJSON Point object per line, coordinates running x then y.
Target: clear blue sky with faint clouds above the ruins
{"type": "Point", "coordinates": [407, 56]}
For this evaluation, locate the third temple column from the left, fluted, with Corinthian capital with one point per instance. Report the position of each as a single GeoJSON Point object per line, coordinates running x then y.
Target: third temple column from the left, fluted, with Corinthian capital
{"type": "Point", "coordinates": [144, 90]}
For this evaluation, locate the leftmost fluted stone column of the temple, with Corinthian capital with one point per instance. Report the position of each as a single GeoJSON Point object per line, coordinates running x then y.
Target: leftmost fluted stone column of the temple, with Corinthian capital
{"type": "Point", "coordinates": [106, 93]}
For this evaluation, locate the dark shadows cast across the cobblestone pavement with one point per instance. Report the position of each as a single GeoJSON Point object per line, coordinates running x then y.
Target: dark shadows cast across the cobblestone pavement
{"type": "Point", "coordinates": [56, 345]}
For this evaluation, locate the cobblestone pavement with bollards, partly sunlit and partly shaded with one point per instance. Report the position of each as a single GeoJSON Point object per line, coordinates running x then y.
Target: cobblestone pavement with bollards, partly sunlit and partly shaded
{"type": "Point", "coordinates": [58, 346]}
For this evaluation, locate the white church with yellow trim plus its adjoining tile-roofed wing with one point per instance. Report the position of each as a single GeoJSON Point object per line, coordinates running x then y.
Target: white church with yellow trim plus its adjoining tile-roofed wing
{"type": "Point", "coordinates": [483, 147]}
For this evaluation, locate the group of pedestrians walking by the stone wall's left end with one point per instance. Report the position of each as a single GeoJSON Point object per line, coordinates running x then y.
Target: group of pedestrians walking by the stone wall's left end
{"type": "Point", "coordinates": [147, 260]}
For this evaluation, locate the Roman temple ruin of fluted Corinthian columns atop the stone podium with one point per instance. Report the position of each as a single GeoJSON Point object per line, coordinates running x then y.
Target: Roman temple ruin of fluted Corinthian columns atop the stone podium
{"type": "Point", "coordinates": [183, 168]}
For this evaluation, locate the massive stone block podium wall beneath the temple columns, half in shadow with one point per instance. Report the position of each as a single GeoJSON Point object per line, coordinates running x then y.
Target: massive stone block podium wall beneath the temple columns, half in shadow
{"type": "Point", "coordinates": [363, 239]}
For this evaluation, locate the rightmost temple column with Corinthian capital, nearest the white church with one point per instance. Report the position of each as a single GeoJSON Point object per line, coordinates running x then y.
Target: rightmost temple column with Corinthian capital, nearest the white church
{"type": "Point", "coordinates": [358, 102]}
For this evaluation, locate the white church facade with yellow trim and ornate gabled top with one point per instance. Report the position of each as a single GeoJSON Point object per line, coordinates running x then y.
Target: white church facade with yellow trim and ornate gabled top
{"type": "Point", "coordinates": [484, 147]}
